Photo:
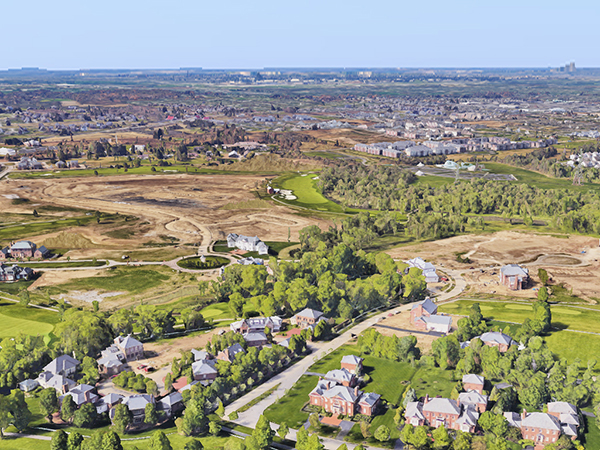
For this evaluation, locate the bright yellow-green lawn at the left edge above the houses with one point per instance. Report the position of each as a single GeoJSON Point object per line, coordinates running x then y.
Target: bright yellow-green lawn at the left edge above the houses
{"type": "Point", "coordinates": [16, 318]}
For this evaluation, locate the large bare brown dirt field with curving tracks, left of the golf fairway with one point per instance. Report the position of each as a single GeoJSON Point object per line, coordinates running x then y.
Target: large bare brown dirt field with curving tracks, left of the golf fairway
{"type": "Point", "coordinates": [185, 207]}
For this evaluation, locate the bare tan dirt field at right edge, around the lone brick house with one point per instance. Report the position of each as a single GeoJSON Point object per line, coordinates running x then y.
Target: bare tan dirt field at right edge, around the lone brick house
{"type": "Point", "coordinates": [566, 264]}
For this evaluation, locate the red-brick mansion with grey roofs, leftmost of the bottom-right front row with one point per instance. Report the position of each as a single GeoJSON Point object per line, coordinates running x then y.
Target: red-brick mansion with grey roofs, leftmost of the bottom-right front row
{"type": "Point", "coordinates": [337, 399]}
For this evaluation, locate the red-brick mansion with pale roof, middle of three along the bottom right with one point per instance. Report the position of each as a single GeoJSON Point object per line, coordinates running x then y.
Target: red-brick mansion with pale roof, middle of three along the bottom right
{"type": "Point", "coordinates": [439, 412]}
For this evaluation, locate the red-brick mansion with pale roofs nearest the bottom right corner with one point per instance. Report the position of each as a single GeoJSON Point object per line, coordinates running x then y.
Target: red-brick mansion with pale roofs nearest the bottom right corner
{"type": "Point", "coordinates": [546, 428]}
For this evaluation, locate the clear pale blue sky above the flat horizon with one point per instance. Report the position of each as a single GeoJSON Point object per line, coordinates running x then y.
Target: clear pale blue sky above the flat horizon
{"type": "Point", "coordinates": [253, 34]}
